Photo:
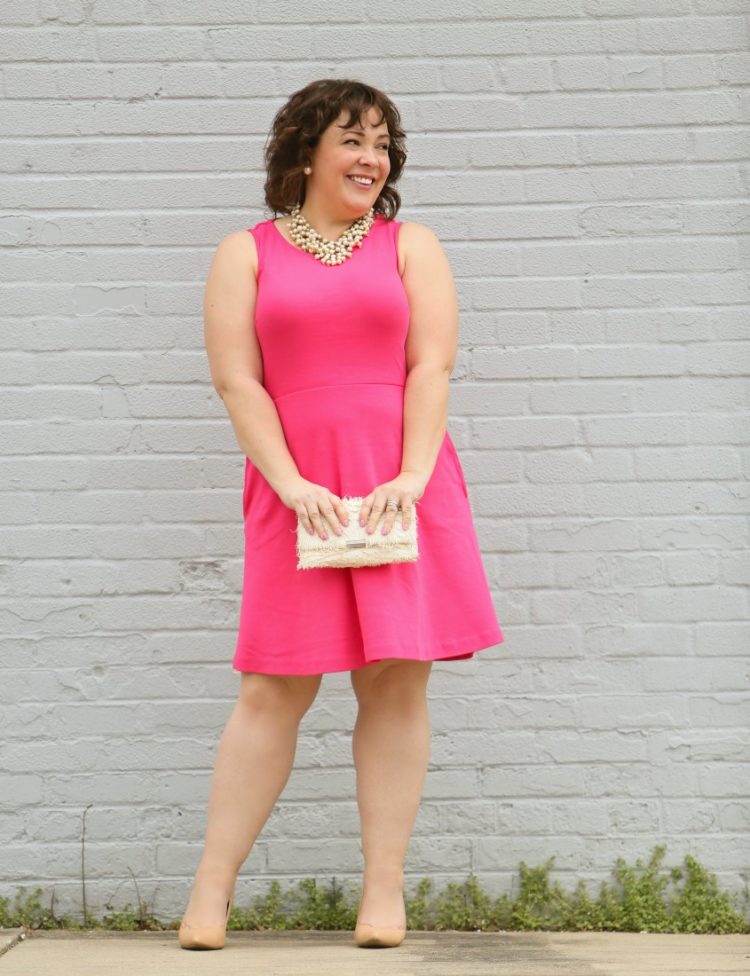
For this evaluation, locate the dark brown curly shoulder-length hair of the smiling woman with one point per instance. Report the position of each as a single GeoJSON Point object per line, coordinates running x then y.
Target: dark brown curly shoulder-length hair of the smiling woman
{"type": "Point", "coordinates": [298, 126]}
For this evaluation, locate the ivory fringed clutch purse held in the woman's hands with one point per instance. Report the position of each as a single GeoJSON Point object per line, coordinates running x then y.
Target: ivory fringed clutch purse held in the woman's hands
{"type": "Point", "coordinates": [356, 547]}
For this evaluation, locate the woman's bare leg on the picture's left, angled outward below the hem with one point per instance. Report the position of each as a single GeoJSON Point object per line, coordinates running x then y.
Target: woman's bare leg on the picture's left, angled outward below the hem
{"type": "Point", "coordinates": [253, 763]}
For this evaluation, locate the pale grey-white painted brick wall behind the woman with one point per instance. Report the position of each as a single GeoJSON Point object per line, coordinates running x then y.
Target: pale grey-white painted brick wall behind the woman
{"type": "Point", "coordinates": [585, 165]}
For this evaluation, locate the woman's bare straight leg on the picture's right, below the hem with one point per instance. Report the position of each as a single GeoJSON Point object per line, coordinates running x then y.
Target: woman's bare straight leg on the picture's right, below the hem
{"type": "Point", "coordinates": [391, 745]}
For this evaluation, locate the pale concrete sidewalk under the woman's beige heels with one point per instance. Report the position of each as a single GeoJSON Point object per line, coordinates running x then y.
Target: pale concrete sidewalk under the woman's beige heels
{"type": "Point", "coordinates": [60, 953]}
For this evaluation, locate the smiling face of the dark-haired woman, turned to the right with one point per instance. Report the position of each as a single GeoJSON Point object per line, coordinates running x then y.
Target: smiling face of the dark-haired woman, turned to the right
{"type": "Point", "coordinates": [342, 153]}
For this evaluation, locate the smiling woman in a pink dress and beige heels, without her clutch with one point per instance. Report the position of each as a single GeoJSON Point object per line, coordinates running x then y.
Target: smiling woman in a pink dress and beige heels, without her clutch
{"type": "Point", "coordinates": [333, 363]}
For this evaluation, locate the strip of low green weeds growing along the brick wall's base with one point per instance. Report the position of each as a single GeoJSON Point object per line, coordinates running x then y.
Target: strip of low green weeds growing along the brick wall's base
{"type": "Point", "coordinates": [644, 899]}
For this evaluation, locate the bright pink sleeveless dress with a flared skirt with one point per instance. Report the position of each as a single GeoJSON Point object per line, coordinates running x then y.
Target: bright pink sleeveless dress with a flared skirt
{"type": "Point", "coordinates": [332, 340]}
